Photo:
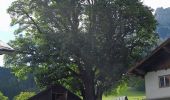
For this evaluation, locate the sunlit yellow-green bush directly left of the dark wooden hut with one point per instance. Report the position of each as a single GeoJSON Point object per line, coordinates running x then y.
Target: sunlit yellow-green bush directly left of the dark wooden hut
{"type": "Point", "coordinates": [24, 96]}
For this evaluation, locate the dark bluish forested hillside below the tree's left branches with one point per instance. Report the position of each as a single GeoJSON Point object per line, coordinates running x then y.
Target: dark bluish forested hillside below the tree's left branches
{"type": "Point", "coordinates": [10, 86]}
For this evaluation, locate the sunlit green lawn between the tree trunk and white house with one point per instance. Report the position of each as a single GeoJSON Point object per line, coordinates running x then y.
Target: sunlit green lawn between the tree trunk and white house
{"type": "Point", "coordinates": [132, 95]}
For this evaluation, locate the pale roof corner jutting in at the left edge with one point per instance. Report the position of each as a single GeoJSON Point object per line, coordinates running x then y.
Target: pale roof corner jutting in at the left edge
{"type": "Point", "coordinates": [5, 48]}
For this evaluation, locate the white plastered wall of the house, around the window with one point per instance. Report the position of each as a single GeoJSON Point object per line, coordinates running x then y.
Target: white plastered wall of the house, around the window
{"type": "Point", "coordinates": [153, 91]}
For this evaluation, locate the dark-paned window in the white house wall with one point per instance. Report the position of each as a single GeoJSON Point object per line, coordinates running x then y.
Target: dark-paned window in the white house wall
{"type": "Point", "coordinates": [164, 81]}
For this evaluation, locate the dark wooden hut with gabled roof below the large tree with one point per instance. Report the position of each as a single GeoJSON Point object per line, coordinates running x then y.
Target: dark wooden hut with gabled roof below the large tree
{"type": "Point", "coordinates": [55, 92]}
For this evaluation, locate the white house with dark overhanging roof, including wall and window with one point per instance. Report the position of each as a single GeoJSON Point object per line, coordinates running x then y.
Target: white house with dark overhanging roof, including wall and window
{"type": "Point", "coordinates": [156, 71]}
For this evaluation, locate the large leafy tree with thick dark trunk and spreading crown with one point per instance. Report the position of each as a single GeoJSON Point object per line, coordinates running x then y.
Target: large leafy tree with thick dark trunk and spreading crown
{"type": "Point", "coordinates": [86, 45]}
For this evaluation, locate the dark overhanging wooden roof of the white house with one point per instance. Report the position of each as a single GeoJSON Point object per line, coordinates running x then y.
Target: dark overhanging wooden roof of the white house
{"type": "Point", "coordinates": [152, 62]}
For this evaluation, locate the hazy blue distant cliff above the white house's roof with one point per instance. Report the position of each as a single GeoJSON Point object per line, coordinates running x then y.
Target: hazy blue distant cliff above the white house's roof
{"type": "Point", "coordinates": [163, 17]}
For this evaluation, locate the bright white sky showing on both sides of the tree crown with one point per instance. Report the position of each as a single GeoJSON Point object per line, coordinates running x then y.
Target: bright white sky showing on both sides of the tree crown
{"type": "Point", "coordinates": [6, 31]}
